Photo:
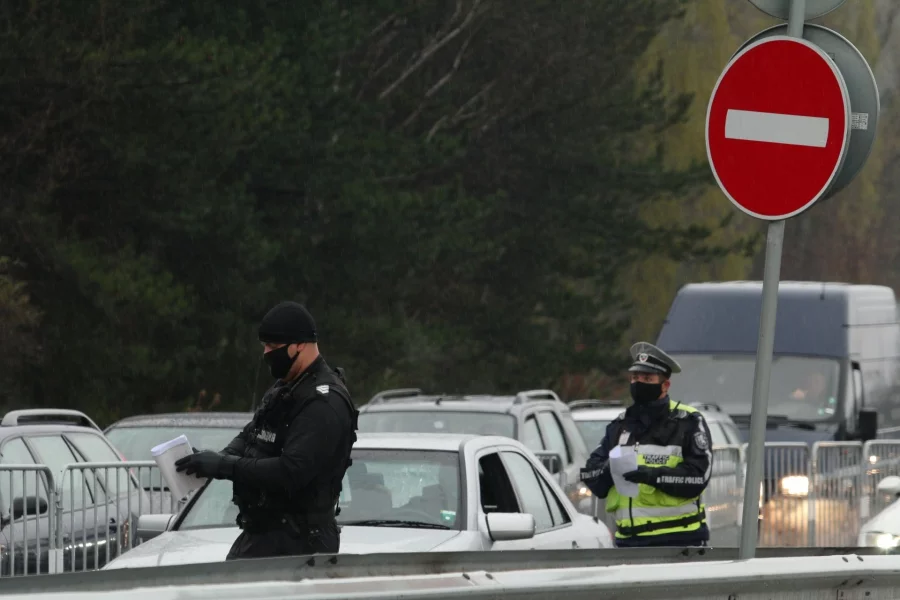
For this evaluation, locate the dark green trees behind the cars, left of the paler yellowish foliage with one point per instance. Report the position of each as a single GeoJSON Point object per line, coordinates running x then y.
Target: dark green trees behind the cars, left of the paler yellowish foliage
{"type": "Point", "coordinates": [452, 187]}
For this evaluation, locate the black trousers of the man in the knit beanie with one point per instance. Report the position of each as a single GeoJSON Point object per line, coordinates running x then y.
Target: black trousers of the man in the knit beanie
{"type": "Point", "coordinates": [317, 539]}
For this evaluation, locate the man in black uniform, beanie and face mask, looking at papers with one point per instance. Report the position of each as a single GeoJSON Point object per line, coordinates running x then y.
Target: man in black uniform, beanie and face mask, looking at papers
{"type": "Point", "coordinates": [288, 462]}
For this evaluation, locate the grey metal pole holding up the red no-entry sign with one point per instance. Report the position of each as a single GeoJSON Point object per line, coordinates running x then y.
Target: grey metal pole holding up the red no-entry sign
{"type": "Point", "coordinates": [764, 350]}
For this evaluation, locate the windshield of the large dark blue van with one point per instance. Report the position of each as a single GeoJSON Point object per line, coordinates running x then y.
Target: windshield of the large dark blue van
{"type": "Point", "coordinates": [801, 388]}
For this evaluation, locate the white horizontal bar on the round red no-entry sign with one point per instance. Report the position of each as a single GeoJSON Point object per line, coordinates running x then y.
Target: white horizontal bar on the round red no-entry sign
{"type": "Point", "coordinates": [775, 128]}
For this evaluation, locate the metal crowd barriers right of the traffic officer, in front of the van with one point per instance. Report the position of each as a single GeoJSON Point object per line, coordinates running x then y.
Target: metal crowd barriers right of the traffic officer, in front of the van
{"type": "Point", "coordinates": [810, 496]}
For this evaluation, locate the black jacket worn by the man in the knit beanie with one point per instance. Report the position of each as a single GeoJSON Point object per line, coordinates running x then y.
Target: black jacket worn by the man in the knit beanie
{"type": "Point", "coordinates": [294, 452]}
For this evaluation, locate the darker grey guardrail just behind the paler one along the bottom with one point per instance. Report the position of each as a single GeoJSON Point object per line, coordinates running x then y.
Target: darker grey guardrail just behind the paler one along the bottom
{"type": "Point", "coordinates": [393, 565]}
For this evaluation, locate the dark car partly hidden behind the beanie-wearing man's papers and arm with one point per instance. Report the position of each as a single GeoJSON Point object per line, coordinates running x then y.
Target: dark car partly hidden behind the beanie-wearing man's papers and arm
{"type": "Point", "coordinates": [135, 436]}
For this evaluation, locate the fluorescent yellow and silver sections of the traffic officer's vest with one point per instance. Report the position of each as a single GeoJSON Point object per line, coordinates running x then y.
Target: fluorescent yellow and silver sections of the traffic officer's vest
{"type": "Point", "coordinates": [654, 512]}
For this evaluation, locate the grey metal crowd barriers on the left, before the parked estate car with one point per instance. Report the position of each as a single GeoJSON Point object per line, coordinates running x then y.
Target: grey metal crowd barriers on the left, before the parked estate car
{"type": "Point", "coordinates": [75, 520]}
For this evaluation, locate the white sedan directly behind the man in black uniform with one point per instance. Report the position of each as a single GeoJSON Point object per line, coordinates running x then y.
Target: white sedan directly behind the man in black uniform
{"type": "Point", "coordinates": [404, 493]}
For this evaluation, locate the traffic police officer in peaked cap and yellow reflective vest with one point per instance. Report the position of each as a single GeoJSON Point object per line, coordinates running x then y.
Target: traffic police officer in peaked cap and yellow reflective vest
{"type": "Point", "coordinates": [674, 457]}
